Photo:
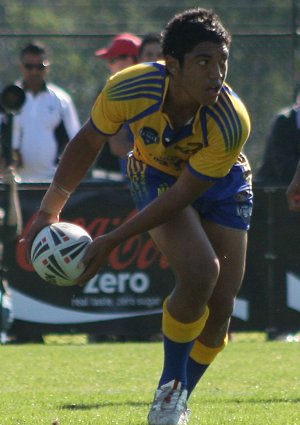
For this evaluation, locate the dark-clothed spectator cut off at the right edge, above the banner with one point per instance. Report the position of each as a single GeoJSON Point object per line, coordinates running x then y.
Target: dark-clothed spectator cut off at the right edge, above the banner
{"type": "Point", "coordinates": [282, 151]}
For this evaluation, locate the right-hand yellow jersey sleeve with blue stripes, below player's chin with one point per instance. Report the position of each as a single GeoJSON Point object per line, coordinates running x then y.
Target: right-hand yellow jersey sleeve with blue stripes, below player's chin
{"type": "Point", "coordinates": [225, 128]}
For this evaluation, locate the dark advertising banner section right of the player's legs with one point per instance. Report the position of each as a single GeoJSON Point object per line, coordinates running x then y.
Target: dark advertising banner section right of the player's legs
{"type": "Point", "coordinates": [272, 278]}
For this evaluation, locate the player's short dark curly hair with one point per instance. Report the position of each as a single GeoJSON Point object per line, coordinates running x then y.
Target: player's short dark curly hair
{"type": "Point", "coordinates": [189, 28]}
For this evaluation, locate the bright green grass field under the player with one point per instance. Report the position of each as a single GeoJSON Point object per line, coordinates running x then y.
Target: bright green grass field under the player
{"type": "Point", "coordinates": [253, 382]}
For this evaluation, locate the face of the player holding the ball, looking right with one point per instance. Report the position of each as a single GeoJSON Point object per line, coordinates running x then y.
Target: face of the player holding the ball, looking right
{"type": "Point", "coordinates": [203, 73]}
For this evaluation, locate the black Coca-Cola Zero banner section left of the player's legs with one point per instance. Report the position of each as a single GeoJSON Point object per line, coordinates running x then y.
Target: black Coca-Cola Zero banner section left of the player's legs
{"type": "Point", "coordinates": [131, 287]}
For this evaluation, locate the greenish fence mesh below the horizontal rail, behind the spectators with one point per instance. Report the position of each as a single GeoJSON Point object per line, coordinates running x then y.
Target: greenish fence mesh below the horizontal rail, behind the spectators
{"type": "Point", "coordinates": [263, 70]}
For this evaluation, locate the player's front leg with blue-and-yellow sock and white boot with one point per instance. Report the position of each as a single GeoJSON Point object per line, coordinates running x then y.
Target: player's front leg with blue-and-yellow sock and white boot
{"type": "Point", "coordinates": [185, 312]}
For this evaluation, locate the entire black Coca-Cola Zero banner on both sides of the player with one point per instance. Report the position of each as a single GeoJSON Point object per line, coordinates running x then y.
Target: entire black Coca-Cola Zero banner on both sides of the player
{"type": "Point", "coordinates": [125, 299]}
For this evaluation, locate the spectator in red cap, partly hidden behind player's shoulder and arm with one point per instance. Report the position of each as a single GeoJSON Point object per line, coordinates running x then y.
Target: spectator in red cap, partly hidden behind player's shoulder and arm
{"type": "Point", "coordinates": [121, 53]}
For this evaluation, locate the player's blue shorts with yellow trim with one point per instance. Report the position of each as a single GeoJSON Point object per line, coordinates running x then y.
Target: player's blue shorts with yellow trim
{"type": "Point", "coordinates": [228, 203]}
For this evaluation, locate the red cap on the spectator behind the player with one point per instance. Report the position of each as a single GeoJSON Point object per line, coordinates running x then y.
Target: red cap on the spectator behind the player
{"type": "Point", "coordinates": [126, 44]}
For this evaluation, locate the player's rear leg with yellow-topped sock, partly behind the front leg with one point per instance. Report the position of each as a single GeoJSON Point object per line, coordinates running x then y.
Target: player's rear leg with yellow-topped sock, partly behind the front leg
{"type": "Point", "coordinates": [230, 246]}
